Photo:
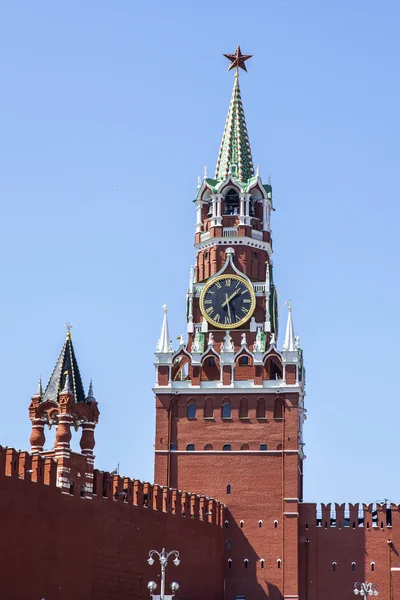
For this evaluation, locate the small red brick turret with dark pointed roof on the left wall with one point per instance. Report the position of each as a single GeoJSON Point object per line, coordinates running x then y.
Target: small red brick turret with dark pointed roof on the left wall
{"type": "Point", "coordinates": [63, 405]}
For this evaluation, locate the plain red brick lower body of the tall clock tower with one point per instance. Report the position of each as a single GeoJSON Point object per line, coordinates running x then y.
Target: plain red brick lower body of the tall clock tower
{"type": "Point", "coordinates": [258, 480]}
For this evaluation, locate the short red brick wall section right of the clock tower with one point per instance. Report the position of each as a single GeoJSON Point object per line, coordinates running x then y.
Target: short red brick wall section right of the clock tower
{"type": "Point", "coordinates": [345, 543]}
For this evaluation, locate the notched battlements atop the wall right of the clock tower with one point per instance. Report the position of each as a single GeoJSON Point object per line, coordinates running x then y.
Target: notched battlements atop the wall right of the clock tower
{"type": "Point", "coordinates": [332, 515]}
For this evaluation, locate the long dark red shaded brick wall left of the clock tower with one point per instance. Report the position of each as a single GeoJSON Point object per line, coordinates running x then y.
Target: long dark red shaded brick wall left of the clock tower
{"type": "Point", "coordinates": [59, 546]}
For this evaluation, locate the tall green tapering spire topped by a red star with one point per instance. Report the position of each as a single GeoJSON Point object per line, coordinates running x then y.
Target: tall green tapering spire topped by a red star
{"type": "Point", "coordinates": [235, 152]}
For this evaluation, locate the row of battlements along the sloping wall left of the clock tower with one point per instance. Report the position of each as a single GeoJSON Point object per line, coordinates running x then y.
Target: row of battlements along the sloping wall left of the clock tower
{"type": "Point", "coordinates": [39, 469]}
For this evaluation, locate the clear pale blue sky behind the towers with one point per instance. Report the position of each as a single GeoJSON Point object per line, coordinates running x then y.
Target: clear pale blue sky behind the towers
{"type": "Point", "coordinates": [109, 111]}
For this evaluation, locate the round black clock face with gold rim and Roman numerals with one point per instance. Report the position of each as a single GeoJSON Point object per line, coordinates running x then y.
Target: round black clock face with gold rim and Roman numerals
{"type": "Point", "coordinates": [227, 301]}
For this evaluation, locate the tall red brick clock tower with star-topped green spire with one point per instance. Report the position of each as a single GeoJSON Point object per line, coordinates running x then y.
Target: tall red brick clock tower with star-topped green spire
{"type": "Point", "coordinates": [229, 404]}
